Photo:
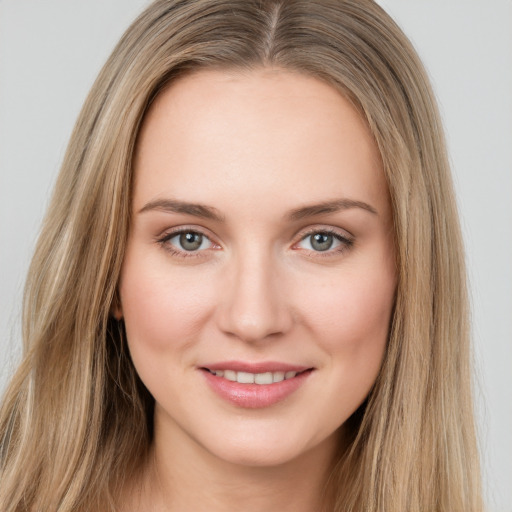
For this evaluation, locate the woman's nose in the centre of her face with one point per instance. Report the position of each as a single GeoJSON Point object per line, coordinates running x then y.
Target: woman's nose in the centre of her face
{"type": "Point", "coordinates": [254, 305]}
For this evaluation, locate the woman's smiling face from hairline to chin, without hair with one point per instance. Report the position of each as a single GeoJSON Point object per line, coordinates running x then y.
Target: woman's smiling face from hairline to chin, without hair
{"type": "Point", "coordinates": [259, 277]}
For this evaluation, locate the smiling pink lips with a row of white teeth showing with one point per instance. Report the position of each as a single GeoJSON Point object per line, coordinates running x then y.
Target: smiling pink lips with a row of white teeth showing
{"type": "Point", "coordinates": [254, 385]}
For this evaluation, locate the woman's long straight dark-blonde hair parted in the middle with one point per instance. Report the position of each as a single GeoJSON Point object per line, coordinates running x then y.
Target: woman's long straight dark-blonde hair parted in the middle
{"type": "Point", "coordinates": [76, 415]}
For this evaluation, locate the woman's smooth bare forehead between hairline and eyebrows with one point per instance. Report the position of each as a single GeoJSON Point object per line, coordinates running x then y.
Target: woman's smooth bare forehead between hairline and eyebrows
{"type": "Point", "coordinates": [215, 133]}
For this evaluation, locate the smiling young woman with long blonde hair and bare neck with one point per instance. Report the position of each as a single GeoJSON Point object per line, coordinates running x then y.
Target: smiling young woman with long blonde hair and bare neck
{"type": "Point", "coordinates": [250, 283]}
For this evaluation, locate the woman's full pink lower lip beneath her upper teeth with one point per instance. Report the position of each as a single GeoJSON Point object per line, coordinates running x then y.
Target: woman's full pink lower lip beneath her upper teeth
{"type": "Point", "coordinates": [255, 396]}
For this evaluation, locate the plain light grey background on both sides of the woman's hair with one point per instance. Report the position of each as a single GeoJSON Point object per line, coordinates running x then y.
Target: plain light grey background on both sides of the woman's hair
{"type": "Point", "coordinates": [51, 51]}
